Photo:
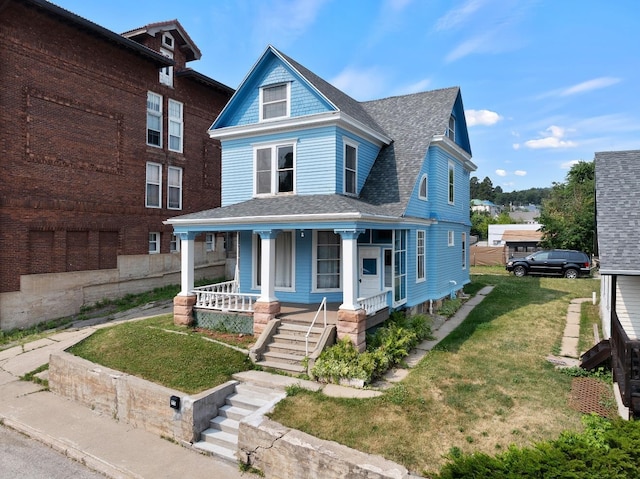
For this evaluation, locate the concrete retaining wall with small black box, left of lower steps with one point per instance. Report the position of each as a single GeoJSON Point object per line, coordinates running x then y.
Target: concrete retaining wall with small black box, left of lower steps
{"type": "Point", "coordinates": [140, 403]}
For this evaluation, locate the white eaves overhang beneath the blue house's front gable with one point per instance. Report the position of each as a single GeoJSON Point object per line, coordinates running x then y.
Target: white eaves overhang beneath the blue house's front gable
{"type": "Point", "coordinates": [336, 118]}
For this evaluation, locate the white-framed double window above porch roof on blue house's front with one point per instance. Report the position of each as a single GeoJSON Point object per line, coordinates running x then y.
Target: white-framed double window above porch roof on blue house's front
{"type": "Point", "coordinates": [274, 169]}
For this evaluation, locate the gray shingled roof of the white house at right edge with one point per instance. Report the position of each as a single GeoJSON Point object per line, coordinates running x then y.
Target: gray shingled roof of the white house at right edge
{"type": "Point", "coordinates": [618, 211]}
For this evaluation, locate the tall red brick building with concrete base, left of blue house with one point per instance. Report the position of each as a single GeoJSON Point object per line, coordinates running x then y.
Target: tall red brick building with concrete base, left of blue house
{"type": "Point", "coordinates": [102, 137]}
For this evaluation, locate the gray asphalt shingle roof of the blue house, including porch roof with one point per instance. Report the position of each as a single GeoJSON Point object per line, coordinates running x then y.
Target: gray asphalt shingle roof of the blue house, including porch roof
{"type": "Point", "coordinates": [410, 121]}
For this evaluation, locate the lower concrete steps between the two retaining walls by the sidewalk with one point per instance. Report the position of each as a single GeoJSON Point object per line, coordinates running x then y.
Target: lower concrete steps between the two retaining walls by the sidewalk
{"type": "Point", "coordinates": [221, 438]}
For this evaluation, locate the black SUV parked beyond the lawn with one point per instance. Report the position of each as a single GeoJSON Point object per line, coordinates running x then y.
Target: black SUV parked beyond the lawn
{"type": "Point", "coordinates": [558, 262]}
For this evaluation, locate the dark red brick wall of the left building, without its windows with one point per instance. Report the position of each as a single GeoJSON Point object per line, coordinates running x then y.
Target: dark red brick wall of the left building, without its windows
{"type": "Point", "coordinates": [73, 147]}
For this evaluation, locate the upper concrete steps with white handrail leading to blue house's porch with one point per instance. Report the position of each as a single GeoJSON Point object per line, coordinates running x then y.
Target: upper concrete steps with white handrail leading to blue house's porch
{"type": "Point", "coordinates": [287, 349]}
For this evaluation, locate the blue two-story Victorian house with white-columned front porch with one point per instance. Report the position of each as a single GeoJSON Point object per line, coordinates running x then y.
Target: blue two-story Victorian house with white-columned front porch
{"type": "Point", "coordinates": [364, 205]}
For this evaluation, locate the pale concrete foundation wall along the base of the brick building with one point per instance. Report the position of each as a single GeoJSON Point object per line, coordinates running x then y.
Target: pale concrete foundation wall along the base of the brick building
{"type": "Point", "coordinates": [54, 295]}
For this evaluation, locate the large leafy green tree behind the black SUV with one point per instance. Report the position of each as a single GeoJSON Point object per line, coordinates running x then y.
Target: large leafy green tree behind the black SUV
{"type": "Point", "coordinates": [568, 214]}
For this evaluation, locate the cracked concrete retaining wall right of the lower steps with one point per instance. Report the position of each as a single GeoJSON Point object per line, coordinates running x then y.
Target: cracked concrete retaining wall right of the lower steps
{"type": "Point", "coordinates": [286, 453]}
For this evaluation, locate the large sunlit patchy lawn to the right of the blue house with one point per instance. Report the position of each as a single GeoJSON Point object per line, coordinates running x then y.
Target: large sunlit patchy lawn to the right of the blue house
{"type": "Point", "coordinates": [484, 387]}
